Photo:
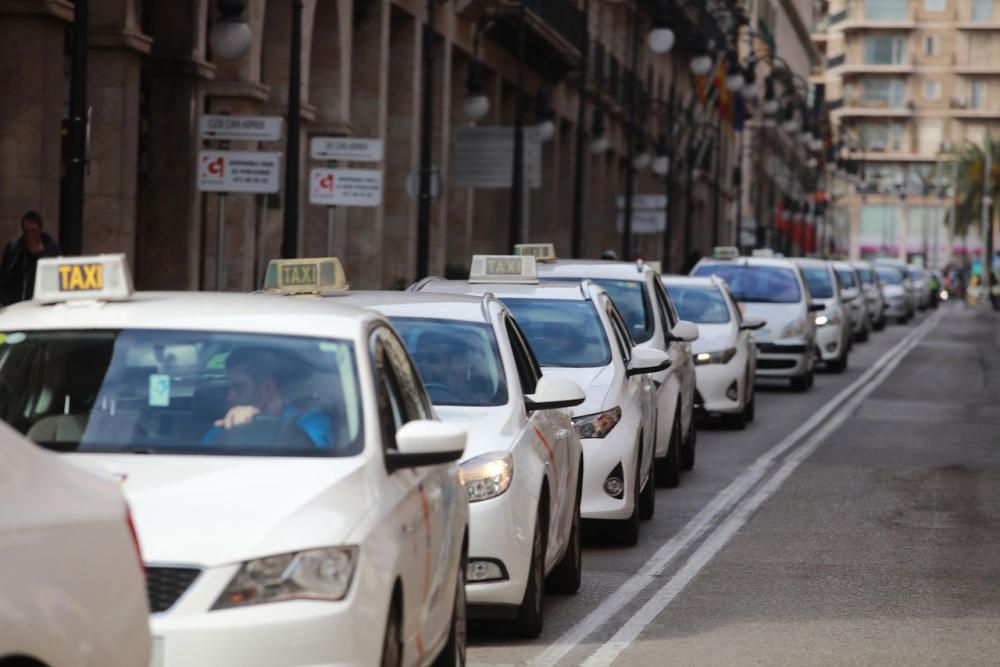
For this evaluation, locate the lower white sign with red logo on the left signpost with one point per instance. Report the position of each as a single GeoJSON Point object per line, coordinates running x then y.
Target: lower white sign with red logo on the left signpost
{"type": "Point", "coordinates": [239, 171]}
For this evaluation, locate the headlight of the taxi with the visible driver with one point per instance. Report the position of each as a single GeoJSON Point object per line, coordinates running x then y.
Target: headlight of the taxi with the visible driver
{"type": "Point", "coordinates": [316, 574]}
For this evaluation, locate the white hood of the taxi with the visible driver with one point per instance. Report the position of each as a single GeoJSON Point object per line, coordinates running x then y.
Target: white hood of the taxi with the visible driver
{"type": "Point", "coordinates": [215, 510]}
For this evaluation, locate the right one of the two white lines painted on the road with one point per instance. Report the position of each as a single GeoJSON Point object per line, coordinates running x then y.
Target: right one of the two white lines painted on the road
{"type": "Point", "coordinates": [609, 652]}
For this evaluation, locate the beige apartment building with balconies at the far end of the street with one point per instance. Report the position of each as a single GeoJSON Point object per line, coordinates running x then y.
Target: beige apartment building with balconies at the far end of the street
{"type": "Point", "coordinates": [908, 81]}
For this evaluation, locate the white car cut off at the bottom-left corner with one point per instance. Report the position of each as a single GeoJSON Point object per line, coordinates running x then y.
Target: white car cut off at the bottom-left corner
{"type": "Point", "coordinates": [72, 586]}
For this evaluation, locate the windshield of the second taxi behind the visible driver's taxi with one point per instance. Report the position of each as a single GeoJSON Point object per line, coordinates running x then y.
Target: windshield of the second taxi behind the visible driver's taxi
{"type": "Point", "coordinates": [562, 333]}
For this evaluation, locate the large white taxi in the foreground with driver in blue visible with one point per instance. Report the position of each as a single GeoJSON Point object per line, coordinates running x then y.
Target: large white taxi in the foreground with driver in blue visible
{"type": "Point", "coordinates": [296, 501]}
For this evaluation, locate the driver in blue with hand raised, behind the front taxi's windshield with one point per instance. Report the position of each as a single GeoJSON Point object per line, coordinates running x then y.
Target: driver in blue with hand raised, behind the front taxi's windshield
{"type": "Point", "coordinates": [258, 382]}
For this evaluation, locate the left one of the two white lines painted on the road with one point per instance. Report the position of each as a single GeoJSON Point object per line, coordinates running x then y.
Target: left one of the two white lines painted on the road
{"type": "Point", "coordinates": [703, 520]}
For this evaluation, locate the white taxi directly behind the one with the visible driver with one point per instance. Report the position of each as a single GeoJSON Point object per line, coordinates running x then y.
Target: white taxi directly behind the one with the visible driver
{"type": "Point", "coordinates": [523, 463]}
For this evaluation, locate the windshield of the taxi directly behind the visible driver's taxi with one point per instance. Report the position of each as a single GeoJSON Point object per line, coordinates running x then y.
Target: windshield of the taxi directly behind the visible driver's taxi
{"type": "Point", "coordinates": [459, 362]}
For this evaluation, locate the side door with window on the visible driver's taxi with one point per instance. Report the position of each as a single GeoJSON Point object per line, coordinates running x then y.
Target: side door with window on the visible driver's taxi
{"type": "Point", "coordinates": [426, 505]}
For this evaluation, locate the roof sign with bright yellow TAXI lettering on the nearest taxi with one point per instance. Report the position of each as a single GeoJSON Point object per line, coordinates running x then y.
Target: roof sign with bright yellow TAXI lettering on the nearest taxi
{"type": "Point", "coordinates": [88, 278]}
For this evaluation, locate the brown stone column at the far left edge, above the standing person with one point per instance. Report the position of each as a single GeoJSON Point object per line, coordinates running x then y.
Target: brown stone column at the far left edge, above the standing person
{"type": "Point", "coordinates": [33, 80]}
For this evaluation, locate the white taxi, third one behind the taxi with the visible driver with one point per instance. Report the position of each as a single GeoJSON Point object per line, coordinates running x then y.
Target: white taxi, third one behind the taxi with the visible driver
{"type": "Point", "coordinates": [653, 323]}
